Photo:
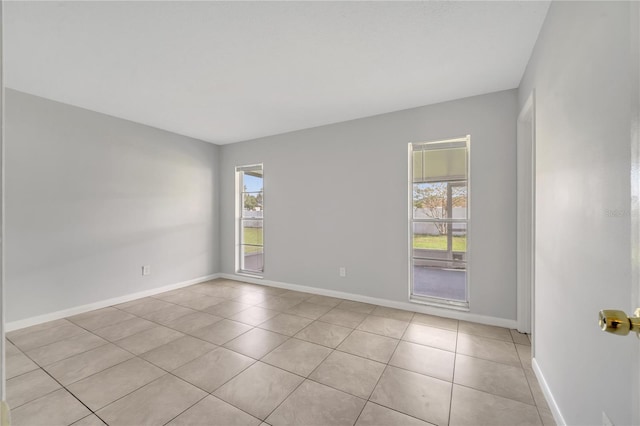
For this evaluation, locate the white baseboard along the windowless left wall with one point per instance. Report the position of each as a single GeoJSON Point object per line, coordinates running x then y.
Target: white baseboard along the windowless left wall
{"type": "Point", "coordinates": [27, 322]}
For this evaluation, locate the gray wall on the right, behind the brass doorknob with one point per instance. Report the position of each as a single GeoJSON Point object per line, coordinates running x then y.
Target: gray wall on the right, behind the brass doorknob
{"type": "Point", "coordinates": [580, 71]}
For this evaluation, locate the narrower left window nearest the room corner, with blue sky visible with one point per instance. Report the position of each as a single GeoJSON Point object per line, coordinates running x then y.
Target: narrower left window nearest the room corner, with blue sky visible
{"type": "Point", "coordinates": [250, 219]}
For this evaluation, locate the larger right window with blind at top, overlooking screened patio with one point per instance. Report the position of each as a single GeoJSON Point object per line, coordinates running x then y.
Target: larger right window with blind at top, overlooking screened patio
{"type": "Point", "coordinates": [438, 225]}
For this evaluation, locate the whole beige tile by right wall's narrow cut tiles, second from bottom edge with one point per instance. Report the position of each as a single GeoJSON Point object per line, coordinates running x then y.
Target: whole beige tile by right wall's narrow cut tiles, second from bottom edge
{"type": "Point", "coordinates": [492, 377]}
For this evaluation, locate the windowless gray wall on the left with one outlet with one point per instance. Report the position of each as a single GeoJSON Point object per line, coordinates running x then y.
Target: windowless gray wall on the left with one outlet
{"type": "Point", "coordinates": [91, 198]}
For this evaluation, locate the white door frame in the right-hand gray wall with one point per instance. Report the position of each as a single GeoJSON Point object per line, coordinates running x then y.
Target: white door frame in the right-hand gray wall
{"type": "Point", "coordinates": [525, 156]}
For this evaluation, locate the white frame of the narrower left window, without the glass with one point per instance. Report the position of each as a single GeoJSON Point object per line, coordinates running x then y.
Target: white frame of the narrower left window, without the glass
{"type": "Point", "coordinates": [239, 194]}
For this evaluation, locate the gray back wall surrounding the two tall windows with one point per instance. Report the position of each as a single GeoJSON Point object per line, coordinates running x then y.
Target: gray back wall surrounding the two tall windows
{"type": "Point", "coordinates": [351, 179]}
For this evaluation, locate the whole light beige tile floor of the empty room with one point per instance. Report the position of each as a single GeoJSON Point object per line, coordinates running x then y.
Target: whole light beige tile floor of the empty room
{"type": "Point", "coordinates": [231, 353]}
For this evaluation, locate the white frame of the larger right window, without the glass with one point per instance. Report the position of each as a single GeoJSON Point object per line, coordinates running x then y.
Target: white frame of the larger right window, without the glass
{"type": "Point", "coordinates": [436, 301]}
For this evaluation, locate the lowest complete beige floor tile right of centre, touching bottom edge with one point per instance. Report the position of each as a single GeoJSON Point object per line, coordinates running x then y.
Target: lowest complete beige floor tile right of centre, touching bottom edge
{"type": "Point", "coordinates": [414, 394]}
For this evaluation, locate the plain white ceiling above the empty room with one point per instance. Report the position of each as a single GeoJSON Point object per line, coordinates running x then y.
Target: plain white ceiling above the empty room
{"type": "Point", "coordinates": [230, 71]}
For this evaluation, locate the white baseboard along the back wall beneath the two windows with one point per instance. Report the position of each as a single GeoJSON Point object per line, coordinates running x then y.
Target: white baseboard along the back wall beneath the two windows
{"type": "Point", "coordinates": [407, 306]}
